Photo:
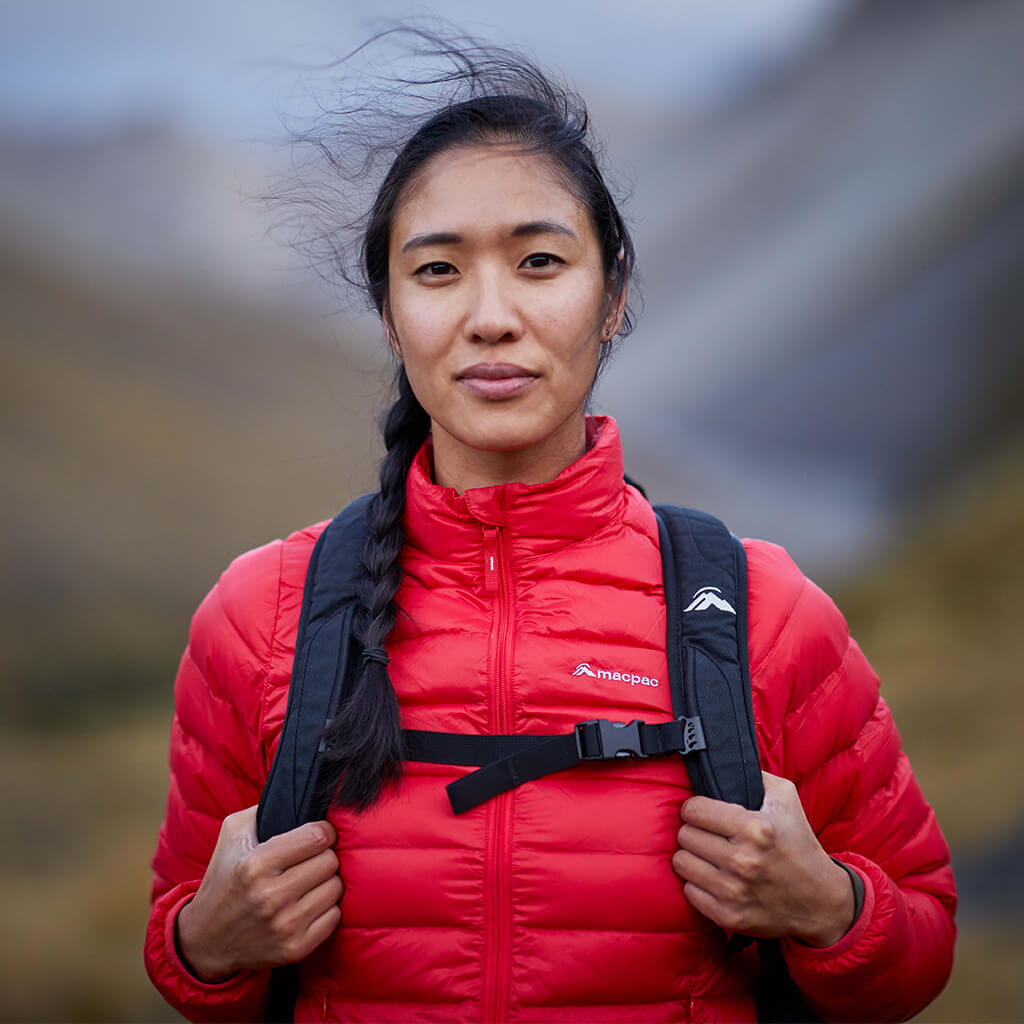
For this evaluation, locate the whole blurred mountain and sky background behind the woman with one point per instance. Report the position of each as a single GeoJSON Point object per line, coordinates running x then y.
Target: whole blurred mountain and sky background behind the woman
{"type": "Point", "coordinates": [829, 204]}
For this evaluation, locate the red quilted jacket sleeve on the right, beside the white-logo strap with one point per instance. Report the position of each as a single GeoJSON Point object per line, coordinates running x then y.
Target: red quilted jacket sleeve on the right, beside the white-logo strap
{"type": "Point", "coordinates": [824, 724]}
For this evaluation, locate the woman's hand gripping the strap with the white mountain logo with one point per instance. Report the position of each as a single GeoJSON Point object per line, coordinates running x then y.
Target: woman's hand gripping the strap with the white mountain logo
{"type": "Point", "coordinates": [763, 873]}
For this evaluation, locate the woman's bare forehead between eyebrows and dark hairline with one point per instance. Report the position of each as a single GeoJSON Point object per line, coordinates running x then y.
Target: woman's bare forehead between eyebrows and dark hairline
{"type": "Point", "coordinates": [476, 188]}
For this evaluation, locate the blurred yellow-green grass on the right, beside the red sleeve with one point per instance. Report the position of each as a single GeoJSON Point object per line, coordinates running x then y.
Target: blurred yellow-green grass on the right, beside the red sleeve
{"type": "Point", "coordinates": [941, 621]}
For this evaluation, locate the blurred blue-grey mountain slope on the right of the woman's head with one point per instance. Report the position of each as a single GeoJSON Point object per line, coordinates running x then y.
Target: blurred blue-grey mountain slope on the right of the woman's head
{"type": "Point", "coordinates": [834, 270]}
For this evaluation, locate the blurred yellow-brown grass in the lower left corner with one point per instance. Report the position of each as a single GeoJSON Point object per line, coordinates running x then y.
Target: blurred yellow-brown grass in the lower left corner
{"type": "Point", "coordinates": [81, 813]}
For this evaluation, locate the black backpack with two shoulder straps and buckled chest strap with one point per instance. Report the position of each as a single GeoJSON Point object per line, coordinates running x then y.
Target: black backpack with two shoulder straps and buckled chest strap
{"type": "Point", "coordinates": [705, 578]}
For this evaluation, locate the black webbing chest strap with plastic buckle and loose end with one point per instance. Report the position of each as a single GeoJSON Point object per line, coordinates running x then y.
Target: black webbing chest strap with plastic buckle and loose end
{"type": "Point", "coordinates": [509, 761]}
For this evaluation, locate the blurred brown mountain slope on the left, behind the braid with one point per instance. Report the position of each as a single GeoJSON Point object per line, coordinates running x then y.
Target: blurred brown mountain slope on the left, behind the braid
{"type": "Point", "coordinates": [148, 439]}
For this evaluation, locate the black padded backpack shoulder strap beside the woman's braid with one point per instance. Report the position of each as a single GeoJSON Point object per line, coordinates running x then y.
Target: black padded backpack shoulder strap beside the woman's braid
{"type": "Point", "coordinates": [323, 658]}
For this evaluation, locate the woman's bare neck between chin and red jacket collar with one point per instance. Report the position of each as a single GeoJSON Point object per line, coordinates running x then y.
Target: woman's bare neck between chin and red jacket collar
{"type": "Point", "coordinates": [459, 466]}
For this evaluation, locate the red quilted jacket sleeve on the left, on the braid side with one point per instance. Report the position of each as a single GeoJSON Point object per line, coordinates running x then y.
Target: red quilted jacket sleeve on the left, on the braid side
{"type": "Point", "coordinates": [218, 766]}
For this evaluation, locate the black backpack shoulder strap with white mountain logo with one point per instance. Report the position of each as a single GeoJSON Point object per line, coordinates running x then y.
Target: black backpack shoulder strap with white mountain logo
{"type": "Point", "coordinates": [705, 570]}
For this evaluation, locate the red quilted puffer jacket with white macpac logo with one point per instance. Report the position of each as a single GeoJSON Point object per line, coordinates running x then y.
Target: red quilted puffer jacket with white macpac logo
{"type": "Point", "coordinates": [557, 901]}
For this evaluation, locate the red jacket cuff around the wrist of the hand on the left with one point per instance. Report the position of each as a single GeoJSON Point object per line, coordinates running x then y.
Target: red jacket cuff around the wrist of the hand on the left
{"type": "Point", "coordinates": [239, 998]}
